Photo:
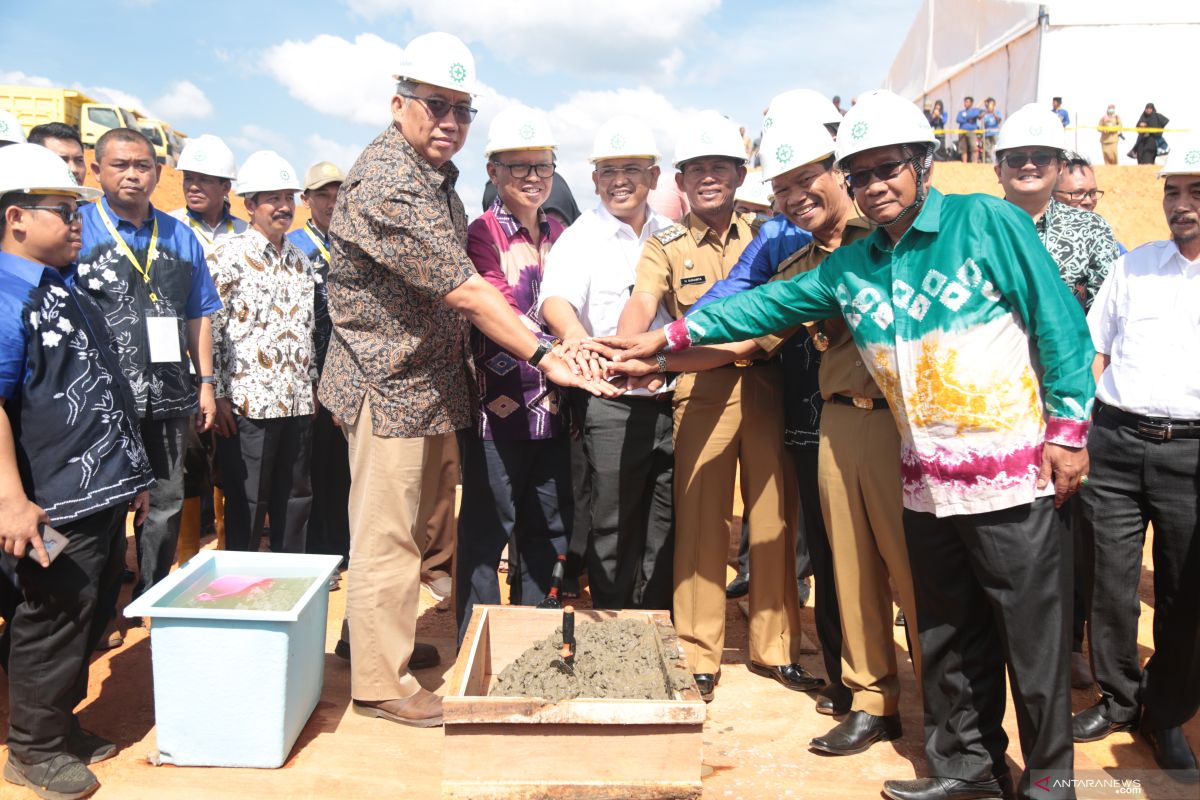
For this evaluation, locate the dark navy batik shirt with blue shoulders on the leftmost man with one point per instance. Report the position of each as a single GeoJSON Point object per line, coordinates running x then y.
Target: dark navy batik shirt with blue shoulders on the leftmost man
{"type": "Point", "coordinates": [74, 418]}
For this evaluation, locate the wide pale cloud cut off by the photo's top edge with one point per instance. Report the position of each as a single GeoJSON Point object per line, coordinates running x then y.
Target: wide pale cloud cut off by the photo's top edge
{"type": "Point", "coordinates": [627, 38]}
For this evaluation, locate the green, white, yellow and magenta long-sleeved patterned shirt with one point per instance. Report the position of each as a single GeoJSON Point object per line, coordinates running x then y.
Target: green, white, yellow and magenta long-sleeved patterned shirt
{"type": "Point", "coordinates": [969, 332]}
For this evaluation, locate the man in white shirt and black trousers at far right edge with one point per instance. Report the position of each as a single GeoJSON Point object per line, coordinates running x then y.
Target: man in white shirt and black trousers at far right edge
{"type": "Point", "coordinates": [1145, 452]}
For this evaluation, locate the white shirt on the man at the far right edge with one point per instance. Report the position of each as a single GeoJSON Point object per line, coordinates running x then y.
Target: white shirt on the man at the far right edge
{"type": "Point", "coordinates": [1147, 318]}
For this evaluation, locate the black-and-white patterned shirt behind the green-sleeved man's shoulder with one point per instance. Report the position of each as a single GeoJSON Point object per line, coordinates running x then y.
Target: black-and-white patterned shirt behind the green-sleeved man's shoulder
{"type": "Point", "coordinates": [1083, 245]}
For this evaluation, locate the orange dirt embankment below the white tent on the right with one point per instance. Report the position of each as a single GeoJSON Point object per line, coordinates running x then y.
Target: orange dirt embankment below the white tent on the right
{"type": "Point", "coordinates": [1132, 203]}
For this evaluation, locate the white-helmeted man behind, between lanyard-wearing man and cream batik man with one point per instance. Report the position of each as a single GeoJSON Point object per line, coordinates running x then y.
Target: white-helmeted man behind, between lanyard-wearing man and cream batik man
{"type": "Point", "coordinates": [209, 171]}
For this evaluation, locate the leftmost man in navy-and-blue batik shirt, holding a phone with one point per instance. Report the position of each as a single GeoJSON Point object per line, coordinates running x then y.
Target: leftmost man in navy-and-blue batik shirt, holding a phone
{"type": "Point", "coordinates": [70, 458]}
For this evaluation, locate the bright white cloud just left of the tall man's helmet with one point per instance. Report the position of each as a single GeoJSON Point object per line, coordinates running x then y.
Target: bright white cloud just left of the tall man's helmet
{"type": "Point", "coordinates": [345, 80]}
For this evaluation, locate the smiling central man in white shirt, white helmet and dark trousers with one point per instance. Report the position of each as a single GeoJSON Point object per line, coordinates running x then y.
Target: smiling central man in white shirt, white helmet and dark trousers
{"type": "Point", "coordinates": [587, 281]}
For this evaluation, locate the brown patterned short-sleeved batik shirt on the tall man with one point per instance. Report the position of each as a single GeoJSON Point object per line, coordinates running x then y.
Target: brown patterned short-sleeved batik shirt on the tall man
{"type": "Point", "coordinates": [399, 246]}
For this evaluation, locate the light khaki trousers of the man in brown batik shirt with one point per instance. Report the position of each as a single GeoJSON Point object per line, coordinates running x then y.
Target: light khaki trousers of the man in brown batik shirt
{"type": "Point", "coordinates": [394, 489]}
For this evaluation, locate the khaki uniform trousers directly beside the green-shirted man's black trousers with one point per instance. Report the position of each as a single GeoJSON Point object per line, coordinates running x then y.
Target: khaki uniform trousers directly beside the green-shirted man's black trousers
{"type": "Point", "coordinates": [859, 474]}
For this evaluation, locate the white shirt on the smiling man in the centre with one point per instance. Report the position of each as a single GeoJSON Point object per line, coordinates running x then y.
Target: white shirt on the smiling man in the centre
{"type": "Point", "coordinates": [593, 266]}
